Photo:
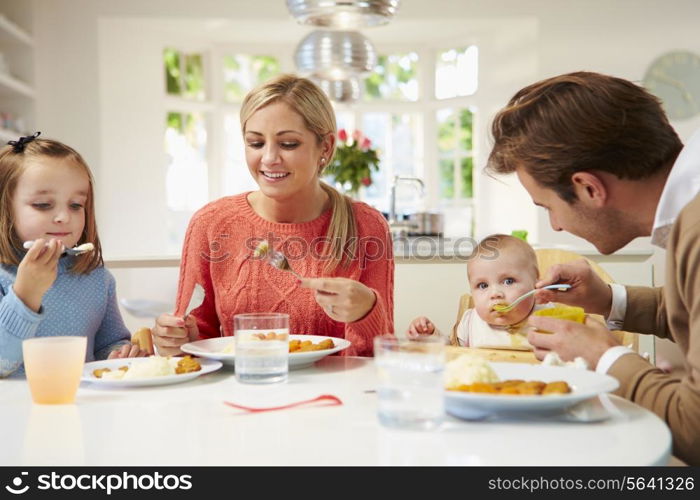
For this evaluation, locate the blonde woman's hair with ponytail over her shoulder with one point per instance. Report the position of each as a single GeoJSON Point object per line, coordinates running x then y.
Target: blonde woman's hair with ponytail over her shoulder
{"type": "Point", "coordinates": [309, 101]}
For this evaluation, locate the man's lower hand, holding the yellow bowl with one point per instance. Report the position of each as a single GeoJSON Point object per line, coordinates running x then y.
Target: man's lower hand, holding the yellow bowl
{"type": "Point", "coordinates": [570, 339]}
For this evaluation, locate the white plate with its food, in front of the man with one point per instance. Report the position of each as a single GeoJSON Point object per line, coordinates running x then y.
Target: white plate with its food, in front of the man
{"type": "Point", "coordinates": [476, 388]}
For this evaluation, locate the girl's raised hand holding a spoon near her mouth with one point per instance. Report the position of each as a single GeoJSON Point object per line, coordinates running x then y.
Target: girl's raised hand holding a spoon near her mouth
{"type": "Point", "coordinates": [37, 271]}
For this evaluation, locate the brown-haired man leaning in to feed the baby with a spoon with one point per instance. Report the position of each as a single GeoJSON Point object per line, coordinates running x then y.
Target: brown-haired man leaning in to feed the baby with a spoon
{"type": "Point", "coordinates": [599, 155]}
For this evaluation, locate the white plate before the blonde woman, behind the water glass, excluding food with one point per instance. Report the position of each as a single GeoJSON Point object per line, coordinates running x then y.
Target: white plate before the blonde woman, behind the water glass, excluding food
{"type": "Point", "coordinates": [212, 349]}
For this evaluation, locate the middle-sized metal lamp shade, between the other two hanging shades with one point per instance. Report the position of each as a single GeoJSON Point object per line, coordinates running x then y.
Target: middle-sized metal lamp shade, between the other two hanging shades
{"type": "Point", "coordinates": [335, 55]}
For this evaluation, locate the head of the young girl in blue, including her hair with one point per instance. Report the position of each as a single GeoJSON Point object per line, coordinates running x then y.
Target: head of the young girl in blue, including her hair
{"type": "Point", "coordinates": [46, 191]}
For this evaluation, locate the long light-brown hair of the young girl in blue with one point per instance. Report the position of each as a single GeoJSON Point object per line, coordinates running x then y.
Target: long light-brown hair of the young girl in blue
{"type": "Point", "coordinates": [12, 165]}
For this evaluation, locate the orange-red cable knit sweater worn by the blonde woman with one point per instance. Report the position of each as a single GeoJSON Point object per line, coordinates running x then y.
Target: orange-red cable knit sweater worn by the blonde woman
{"type": "Point", "coordinates": [217, 254]}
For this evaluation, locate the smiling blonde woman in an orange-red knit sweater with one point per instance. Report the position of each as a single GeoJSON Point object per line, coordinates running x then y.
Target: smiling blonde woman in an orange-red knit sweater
{"type": "Point", "coordinates": [342, 247]}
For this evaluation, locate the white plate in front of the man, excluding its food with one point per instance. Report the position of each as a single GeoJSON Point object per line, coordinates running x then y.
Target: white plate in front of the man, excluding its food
{"type": "Point", "coordinates": [584, 384]}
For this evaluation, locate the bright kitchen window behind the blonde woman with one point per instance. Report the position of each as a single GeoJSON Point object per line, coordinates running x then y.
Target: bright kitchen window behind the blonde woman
{"type": "Point", "coordinates": [417, 109]}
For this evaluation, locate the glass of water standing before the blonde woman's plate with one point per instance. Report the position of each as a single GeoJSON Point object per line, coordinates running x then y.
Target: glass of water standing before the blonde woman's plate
{"type": "Point", "coordinates": [261, 347]}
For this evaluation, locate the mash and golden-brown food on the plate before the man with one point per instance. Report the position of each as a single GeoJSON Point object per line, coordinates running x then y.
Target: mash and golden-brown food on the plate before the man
{"type": "Point", "coordinates": [469, 373]}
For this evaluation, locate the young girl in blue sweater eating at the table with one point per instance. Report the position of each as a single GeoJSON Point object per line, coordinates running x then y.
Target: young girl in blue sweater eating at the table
{"type": "Point", "coordinates": [46, 196]}
